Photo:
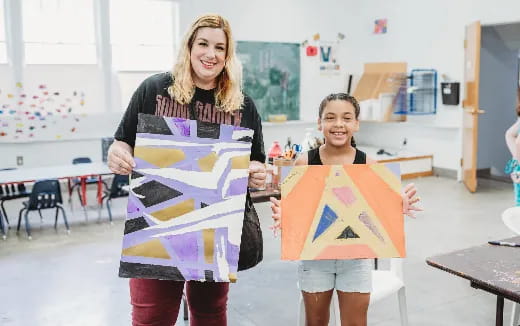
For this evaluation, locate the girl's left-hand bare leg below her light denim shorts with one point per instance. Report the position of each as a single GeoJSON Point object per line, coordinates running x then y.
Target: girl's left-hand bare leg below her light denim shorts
{"type": "Point", "coordinates": [317, 307]}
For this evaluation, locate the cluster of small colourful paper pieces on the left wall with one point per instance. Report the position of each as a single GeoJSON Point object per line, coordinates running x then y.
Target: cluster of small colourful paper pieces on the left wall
{"type": "Point", "coordinates": [36, 111]}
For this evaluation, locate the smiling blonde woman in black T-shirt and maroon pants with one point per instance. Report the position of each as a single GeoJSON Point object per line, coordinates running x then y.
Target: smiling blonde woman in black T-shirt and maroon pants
{"type": "Point", "coordinates": [207, 76]}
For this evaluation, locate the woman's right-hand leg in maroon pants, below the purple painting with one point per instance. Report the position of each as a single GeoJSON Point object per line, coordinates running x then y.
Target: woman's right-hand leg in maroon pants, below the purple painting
{"type": "Point", "coordinates": [207, 303]}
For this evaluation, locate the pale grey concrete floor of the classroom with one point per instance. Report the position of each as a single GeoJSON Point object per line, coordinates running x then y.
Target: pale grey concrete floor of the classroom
{"type": "Point", "coordinates": [59, 279]}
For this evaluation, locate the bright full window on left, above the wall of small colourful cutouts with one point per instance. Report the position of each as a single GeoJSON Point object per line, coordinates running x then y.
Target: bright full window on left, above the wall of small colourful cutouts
{"type": "Point", "coordinates": [59, 31]}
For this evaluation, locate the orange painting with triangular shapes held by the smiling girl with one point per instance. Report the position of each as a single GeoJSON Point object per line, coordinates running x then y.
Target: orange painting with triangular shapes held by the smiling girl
{"type": "Point", "coordinates": [342, 212]}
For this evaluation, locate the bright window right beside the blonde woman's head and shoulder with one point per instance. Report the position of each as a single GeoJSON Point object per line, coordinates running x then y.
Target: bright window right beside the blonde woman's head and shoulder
{"type": "Point", "coordinates": [143, 34]}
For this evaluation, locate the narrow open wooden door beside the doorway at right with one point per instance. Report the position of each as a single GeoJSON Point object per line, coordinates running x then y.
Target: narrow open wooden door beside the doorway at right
{"type": "Point", "coordinates": [471, 105]}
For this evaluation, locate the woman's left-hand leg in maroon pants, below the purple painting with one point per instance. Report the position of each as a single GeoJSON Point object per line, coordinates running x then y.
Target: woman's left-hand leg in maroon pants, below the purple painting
{"type": "Point", "coordinates": [155, 302]}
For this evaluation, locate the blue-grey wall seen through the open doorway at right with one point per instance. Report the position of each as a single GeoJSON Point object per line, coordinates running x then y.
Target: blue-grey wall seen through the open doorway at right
{"type": "Point", "coordinates": [498, 87]}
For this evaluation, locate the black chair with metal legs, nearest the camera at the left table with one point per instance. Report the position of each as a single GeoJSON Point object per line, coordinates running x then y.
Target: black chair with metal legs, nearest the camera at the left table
{"type": "Point", "coordinates": [45, 194]}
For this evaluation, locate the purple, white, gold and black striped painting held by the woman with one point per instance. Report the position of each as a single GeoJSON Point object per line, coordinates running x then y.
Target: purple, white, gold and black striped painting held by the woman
{"type": "Point", "coordinates": [187, 200]}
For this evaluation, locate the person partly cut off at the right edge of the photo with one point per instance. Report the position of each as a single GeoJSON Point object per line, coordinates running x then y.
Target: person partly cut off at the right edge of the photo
{"type": "Point", "coordinates": [513, 143]}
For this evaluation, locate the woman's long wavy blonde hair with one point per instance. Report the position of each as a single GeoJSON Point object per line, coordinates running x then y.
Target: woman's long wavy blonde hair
{"type": "Point", "coordinates": [228, 94]}
